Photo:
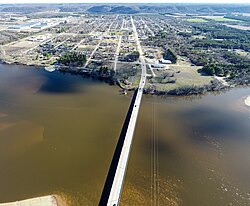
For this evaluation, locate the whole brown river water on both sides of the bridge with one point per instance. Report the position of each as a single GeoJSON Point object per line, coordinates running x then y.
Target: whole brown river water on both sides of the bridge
{"type": "Point", "coordinates": [58, 133]}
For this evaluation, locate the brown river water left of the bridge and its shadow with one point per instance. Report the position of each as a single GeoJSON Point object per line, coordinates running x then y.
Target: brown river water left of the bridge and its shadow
{"type": "Point", "coordinates": [57, 134]}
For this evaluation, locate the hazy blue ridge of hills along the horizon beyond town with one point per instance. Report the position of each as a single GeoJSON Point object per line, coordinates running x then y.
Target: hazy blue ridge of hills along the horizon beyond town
{"type": "Point", "coordinates": [129, 8]}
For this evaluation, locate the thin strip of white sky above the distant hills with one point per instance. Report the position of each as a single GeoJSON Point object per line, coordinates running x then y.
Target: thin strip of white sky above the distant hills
{"type": "Point", "coordinates": [123, 1]}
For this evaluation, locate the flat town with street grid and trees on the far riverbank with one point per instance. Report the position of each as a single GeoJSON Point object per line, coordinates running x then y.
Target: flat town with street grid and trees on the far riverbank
{"type": "Point", "coordinates": [185, 54]}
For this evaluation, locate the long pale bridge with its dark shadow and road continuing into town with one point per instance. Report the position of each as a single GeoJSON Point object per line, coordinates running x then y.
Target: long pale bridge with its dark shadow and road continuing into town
{"type": "Point", "coordinates": [113, 186]}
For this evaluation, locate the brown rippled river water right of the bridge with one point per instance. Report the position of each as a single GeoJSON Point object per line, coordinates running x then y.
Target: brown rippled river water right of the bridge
{"type": "Point", "coordinates": [201, 154]}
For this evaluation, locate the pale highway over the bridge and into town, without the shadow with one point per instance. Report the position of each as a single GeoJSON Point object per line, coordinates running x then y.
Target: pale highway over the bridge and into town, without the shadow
{"type": "Point", "coordinates": [116, 190]}
